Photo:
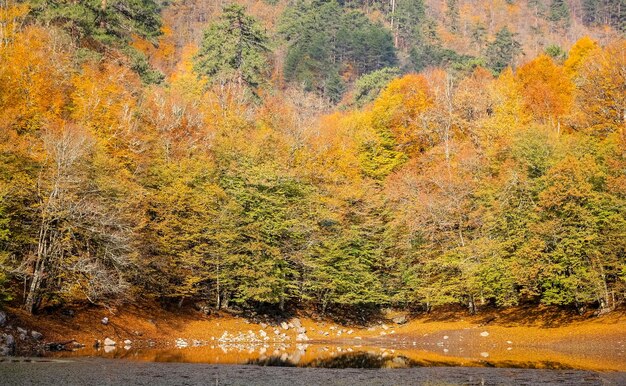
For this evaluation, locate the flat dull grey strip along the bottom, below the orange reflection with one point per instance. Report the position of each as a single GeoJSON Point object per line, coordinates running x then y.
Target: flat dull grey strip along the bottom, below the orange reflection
{"type": "Point", "coordinates": [95, 371]}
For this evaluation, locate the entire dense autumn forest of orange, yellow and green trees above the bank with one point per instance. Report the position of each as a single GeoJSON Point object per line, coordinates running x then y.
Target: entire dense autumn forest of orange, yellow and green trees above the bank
{"type": "Point", "coordinates": [313, 153]}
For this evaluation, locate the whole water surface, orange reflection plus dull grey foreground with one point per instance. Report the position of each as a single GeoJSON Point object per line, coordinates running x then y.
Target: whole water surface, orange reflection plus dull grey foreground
{"type": "Point", "coordinates": [322, 363]}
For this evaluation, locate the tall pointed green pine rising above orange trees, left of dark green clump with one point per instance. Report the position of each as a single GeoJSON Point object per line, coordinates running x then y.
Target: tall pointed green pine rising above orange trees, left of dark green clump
{"type": "Point", "coordinates": [234, 49]}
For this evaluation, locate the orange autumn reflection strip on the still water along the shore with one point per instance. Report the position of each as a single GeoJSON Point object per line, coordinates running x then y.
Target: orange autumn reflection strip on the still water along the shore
{"type": "Point", "coordinates": [338, 355]}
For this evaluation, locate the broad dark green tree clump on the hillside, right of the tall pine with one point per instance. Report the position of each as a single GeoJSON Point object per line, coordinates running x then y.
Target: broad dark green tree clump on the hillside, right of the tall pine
{"type": "Point", "coordinates": [324, 41]}
